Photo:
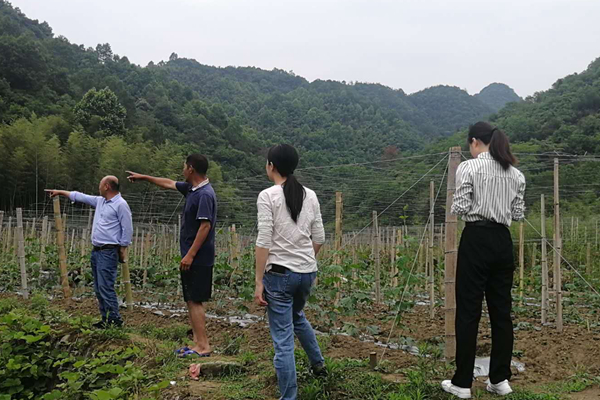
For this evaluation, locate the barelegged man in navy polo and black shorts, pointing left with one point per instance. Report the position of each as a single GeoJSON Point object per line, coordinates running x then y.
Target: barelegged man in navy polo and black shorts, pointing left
{"type": "Point", "coordinates": [197, 243]}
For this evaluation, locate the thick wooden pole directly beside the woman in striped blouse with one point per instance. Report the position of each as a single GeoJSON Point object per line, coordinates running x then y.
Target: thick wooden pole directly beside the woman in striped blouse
{"type": "Point", "coordinates": [451, 257]}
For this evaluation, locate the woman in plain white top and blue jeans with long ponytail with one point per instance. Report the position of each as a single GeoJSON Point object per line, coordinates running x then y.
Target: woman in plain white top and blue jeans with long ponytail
{"type": "Point", "coordinates": [290, 234]}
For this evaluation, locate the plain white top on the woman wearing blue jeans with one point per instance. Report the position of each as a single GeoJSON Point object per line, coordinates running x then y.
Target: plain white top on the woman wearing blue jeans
{"type": "Point", "coordinates": [290, 244]}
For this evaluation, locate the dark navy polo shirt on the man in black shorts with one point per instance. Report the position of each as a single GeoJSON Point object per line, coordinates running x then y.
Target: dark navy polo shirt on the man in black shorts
{"type": "Point", "coordinates": [200, 204]}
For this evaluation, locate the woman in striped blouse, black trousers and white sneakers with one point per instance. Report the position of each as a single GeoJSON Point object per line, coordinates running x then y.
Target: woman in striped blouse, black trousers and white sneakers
{"type": "Point", "coordinates": [489, 196]}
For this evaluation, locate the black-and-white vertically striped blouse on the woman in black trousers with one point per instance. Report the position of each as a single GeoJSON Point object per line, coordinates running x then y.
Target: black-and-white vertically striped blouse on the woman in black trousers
{"type": "Point", "coordinates": [486, 191]}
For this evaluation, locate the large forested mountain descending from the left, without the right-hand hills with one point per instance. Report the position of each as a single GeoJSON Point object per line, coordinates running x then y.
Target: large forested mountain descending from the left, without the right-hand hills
{"type": "Point", "coordinates": [90, 101]}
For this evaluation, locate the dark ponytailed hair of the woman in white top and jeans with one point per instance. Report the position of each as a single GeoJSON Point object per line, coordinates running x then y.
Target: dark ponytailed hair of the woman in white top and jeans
{"type": "Point", "coordinates": [285, 159]}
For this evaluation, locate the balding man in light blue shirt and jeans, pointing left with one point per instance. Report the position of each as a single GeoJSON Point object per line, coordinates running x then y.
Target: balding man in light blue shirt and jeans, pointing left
{"type": "Point", "coordinates": [111, 235]}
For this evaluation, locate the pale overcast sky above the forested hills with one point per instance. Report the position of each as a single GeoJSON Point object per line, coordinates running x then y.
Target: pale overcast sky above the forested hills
{"type": "Point", "coordinates": [407, 44]}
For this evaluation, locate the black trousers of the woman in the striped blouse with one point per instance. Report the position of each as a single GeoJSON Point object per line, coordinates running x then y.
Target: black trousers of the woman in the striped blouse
{"type": "Point", "coordinates": [485, 266]}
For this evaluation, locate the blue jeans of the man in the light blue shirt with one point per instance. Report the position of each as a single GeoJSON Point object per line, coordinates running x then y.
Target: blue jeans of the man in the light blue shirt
{"type": "Point", "coordinates": [104, 270]}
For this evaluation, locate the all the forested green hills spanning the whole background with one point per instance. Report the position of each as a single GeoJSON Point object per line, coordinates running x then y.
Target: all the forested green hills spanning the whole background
{"type": "Point", "coordinates": [72, 114]}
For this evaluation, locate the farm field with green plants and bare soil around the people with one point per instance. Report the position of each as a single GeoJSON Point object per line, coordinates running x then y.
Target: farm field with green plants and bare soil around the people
{"type": "Point", "coordinates": [138, 361]}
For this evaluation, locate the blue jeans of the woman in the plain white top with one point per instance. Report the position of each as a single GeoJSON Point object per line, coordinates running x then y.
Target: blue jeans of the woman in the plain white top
{"type": "Point", "coordinates": [287, 294]}
